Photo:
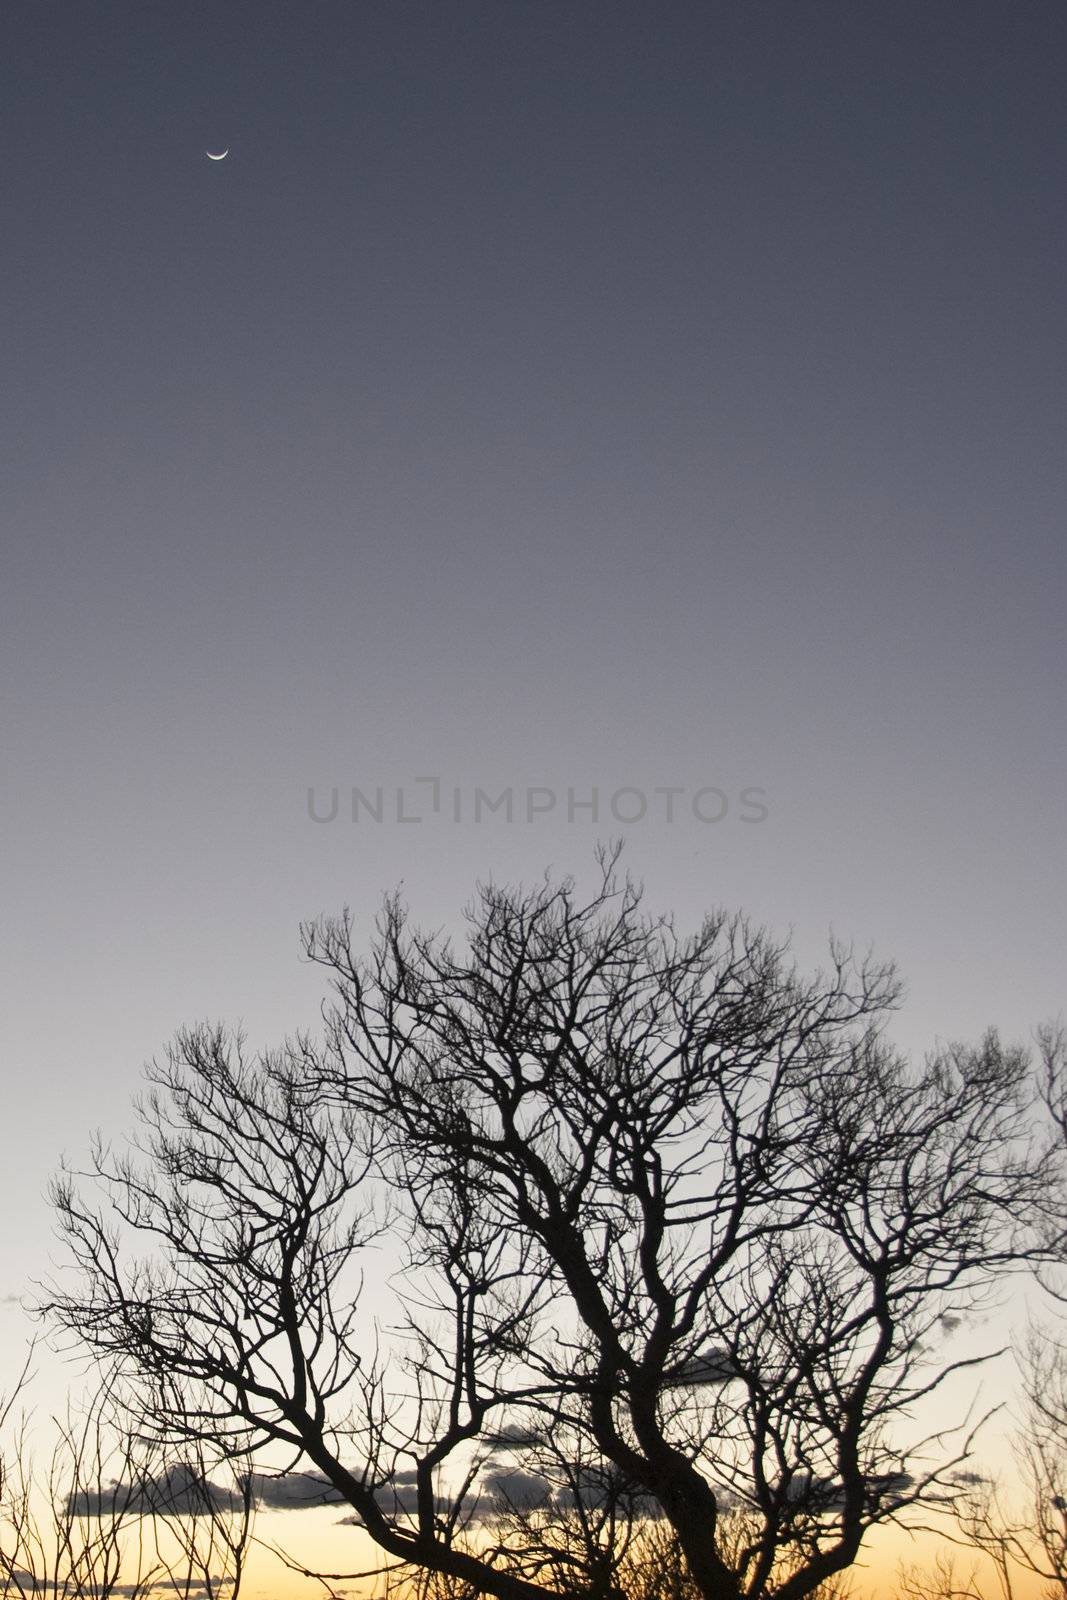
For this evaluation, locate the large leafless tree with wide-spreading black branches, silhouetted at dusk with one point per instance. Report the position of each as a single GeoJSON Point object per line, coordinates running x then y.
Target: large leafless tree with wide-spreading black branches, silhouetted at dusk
{"type": "Point", "coordinates": [657, 1198]}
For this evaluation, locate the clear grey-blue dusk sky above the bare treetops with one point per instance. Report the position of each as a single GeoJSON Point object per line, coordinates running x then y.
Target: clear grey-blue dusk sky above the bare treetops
{"type": "Point", "coordinates": [540, 396]}
